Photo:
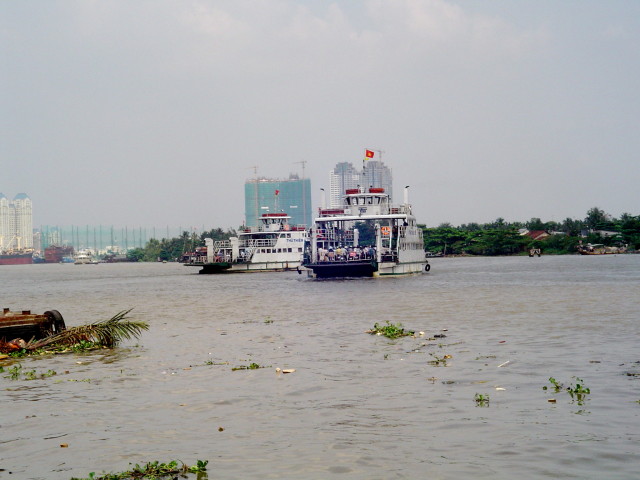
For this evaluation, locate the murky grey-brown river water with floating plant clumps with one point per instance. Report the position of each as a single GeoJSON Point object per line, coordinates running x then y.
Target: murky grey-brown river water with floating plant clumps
{"type": "Point", "coordinates": [358, 406]}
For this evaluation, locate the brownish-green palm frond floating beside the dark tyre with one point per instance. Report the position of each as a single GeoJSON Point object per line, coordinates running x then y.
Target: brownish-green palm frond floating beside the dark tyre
{"type": "Point", "coordinates": [104, 332]}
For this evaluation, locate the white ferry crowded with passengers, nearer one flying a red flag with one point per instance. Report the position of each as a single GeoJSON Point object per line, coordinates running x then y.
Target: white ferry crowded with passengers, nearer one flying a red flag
{"type": "Point", "coordinates": [396, 248]}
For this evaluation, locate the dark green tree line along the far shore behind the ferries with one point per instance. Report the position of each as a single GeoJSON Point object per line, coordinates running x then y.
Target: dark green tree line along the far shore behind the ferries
{"type": "Point", "coordinates": [491, 239]}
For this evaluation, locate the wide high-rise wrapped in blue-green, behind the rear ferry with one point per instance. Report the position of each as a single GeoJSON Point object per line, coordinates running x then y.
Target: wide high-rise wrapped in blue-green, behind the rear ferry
{"type": "Point", "coordinates": [291, 196]}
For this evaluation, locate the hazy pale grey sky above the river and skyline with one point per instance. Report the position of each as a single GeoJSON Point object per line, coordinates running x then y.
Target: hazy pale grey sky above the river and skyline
{"type": "Point", "coordinates": [153, 112]}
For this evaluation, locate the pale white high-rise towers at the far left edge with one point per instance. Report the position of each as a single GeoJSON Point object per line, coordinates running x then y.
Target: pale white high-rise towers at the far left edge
{"type": "Point", "coordinates": [16, 222]}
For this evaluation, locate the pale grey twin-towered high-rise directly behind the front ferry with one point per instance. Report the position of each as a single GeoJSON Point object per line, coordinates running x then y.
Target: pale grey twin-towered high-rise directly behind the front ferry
{"type": "Point", "coordinates": [344, 176]}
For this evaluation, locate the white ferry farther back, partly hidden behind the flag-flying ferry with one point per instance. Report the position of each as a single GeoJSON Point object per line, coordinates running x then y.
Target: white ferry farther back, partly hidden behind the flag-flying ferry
{"type": "Point", "coordinates": [273, 246]}
